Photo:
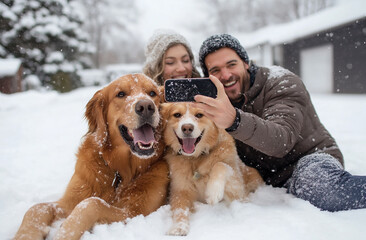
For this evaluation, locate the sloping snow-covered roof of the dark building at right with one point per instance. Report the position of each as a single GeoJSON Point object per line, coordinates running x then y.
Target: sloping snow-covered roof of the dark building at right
{"type": "Point", "coordinates": [321, 21]}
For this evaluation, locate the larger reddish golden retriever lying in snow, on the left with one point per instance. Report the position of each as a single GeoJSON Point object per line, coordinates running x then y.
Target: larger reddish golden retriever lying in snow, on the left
{"type": "Point", "coordinates": [119, 171]}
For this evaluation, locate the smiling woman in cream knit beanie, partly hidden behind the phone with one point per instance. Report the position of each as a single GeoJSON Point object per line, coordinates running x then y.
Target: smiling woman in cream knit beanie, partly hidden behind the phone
{"type": "Point", "coordinates": [169, 55]}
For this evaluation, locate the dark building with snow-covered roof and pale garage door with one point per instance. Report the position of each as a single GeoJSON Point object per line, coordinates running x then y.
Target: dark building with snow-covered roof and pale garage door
{"type": "Point", "coordinates": [327, 49]}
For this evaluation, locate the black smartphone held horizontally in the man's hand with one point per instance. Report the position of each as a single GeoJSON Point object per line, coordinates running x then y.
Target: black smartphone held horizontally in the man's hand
{"type": "Point", "coordinates": [184, 89]}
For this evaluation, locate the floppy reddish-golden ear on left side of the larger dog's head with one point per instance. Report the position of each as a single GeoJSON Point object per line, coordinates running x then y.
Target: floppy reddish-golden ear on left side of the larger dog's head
{"type": "Point", "coordinates": [95, 114]}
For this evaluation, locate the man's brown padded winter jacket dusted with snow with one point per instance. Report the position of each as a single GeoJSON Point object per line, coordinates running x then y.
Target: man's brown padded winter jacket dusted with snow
{"type": "Point", "coordinates": [279, 125]}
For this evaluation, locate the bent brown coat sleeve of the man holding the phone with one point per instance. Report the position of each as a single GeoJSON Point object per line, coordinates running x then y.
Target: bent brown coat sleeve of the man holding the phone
{"type": "Point", "coordinates": [277, 129]}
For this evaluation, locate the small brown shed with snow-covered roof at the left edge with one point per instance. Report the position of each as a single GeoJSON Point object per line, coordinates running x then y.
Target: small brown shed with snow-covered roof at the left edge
{"type": "Point", "coordinates": [11, 75]}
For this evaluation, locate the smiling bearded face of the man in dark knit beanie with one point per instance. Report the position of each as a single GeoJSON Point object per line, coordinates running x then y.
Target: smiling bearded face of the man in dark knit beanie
{"type": "Point", "coordinates": [231, 70]}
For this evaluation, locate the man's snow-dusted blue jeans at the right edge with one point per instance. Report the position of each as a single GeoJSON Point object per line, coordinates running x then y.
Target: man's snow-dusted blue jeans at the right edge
{"type": "Point", "coordinates": [320, 179]}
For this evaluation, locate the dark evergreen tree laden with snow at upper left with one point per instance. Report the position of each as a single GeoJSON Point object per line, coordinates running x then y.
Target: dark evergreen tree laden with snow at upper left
{"type": "Point", "coordinates": [47, 36]}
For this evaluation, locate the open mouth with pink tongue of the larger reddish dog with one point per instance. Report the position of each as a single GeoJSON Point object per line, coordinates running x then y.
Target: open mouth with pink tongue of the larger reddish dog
{"type": "Point", "coordinates": [141, 140]}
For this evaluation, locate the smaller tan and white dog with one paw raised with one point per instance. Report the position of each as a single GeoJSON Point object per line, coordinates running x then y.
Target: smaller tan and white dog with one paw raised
{"type": "Point", "coordinates": [203, 163]}
